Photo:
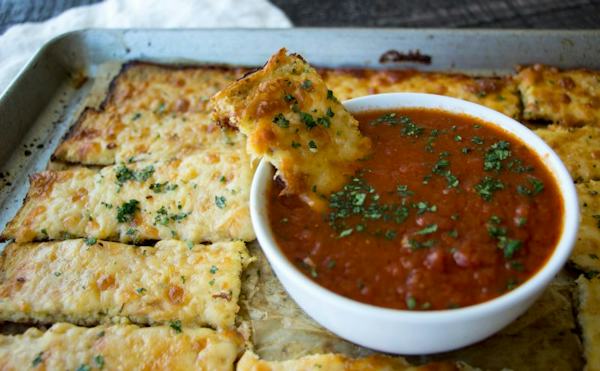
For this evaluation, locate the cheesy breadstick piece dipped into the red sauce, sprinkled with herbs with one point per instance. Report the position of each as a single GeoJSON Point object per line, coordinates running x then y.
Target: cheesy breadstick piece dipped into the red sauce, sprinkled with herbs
{"type": "Point", "coordinates": [289, 117]}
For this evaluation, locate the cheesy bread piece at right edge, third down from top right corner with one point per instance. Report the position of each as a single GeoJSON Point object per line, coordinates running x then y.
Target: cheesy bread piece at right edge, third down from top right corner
{"type": "Point", "coordinates": [586, 254]}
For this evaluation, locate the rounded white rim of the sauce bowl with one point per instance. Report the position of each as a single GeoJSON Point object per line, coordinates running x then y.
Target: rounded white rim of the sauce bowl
{"type": "Point", "coordinates": [531, 287]}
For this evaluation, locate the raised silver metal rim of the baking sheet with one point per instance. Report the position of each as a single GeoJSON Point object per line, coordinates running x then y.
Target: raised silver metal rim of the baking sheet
{"type": "Point", "coordinates": [47, 96]}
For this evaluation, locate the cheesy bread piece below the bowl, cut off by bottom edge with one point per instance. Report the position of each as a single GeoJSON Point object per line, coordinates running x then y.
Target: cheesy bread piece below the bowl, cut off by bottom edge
{"type": "Point", "coordinates": [338, 362]}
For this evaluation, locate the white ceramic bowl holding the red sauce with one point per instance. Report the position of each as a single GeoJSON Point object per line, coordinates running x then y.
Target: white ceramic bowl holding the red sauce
{"type": "Point", "coordinates": [418, 332]}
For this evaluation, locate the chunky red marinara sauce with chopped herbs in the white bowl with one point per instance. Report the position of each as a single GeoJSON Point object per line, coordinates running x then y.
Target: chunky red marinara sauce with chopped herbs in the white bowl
{"type": "Point", "coordinates": [447, 212]}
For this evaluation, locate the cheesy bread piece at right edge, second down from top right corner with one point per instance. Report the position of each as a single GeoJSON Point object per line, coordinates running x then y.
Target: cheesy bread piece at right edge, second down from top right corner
{"type": "Point", "coordinates": [578, 148]}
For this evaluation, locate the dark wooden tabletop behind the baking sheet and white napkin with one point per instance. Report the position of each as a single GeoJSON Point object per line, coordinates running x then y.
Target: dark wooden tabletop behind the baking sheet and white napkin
{"type": "Point", "coordinates": [556, 14]}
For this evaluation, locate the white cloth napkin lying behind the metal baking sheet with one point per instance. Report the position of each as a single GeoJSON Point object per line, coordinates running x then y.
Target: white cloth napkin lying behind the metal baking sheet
{"type": "Point", "coordinates": [20, 42]}
